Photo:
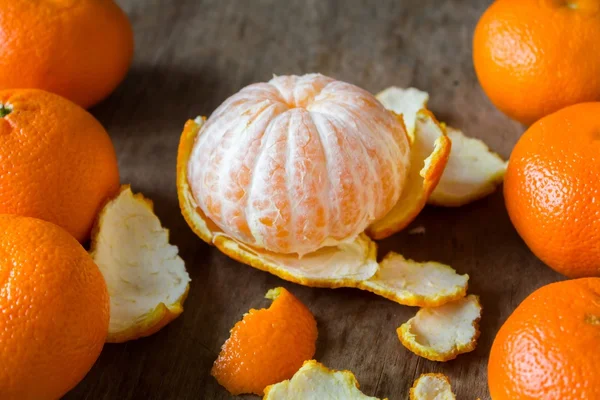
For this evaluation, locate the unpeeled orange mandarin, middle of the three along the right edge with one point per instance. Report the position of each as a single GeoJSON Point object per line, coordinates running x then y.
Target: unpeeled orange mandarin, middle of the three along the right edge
{"type": "Point", "coordinates": [551, 190]}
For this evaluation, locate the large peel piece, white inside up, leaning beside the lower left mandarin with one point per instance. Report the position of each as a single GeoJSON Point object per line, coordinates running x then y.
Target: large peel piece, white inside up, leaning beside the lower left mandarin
{"type": "Point", "coordinates": [146, 279]}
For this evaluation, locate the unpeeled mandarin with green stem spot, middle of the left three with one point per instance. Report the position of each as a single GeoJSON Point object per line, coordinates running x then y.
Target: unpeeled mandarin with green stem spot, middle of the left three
{"type": "Point", "coordinates": [58, 162]}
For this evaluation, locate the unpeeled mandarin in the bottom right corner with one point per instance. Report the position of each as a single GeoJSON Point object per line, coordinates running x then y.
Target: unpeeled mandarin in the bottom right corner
{"type": "Point", "coordinates": [548, 348]}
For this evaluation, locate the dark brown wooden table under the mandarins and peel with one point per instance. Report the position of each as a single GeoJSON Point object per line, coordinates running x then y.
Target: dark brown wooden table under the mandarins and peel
{"type": "Point", "coordinates": [190, 56]}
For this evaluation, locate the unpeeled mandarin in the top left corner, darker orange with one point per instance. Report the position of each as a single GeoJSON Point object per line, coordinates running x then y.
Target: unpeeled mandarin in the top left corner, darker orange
{"type": "Point", "coordinates": [80, 49]}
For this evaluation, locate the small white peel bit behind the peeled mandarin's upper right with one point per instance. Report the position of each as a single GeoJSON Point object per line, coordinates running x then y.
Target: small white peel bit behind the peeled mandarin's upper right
{"type": "Point", "coordinates": [405, 102]}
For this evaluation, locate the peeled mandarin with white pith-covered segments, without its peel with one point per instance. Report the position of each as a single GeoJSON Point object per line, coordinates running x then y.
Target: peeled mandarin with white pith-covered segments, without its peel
{"type": "Point", "coordinates": [298, 163]}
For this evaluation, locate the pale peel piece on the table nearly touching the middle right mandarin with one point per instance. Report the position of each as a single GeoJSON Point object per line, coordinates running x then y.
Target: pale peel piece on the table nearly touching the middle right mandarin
{"type": "Point", "coordinates": [473, 172]}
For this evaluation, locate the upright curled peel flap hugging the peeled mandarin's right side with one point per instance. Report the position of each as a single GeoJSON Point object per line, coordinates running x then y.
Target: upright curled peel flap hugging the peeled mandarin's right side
{"type": "Point", "coordinates": [429, 155]}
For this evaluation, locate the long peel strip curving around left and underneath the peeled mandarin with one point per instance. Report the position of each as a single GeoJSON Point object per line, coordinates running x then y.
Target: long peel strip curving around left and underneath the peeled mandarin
{"type": "Point", "coordinates": [351, 265]}
